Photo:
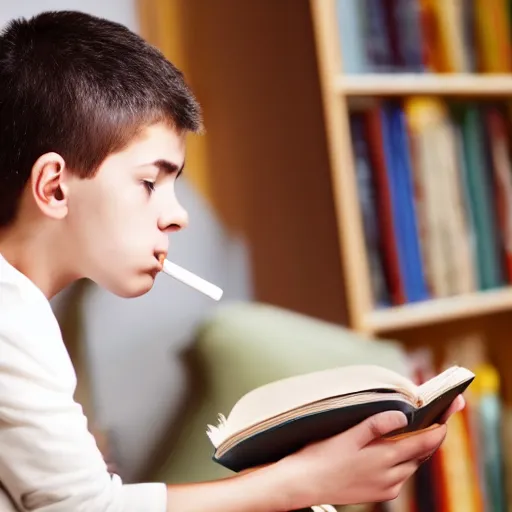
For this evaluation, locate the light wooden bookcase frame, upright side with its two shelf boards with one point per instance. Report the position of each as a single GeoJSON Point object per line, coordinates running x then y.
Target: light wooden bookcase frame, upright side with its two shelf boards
{"type": "Point", "coordinates": [338, 91]}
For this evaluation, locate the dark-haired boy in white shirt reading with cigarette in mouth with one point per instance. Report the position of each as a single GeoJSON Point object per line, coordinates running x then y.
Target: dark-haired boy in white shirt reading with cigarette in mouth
{"type": "Point", "coordinates": [93, 128]}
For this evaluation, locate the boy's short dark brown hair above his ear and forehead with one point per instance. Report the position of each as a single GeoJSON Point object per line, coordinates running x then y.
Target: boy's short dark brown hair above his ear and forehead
{"type": "Point", "coordinates": [81, 86]}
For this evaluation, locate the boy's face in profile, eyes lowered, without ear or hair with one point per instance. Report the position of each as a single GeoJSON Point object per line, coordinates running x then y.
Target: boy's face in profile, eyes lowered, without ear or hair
{"type": "Point", "coordinates": [119, 221]}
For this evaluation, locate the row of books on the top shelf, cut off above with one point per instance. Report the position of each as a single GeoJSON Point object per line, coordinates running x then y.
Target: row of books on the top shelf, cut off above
{"type": "Point", "coordinates": [425, 36]}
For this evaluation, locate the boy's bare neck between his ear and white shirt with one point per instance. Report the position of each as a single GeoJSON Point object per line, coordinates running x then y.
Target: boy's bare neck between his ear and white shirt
{"type": "Point", "coordinates": [37, 253]}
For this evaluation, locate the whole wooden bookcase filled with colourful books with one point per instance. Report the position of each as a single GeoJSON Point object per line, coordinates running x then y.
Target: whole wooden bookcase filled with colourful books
{"type": "Point", "coordinates": [465, 324]}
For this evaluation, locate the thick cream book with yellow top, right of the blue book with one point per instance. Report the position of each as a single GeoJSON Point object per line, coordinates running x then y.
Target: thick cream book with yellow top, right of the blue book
{"type": "Point", "coordinates": [445, 240]}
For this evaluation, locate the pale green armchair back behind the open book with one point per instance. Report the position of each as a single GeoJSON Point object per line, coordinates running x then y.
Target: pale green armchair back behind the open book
{"type": "Point", "coordinates": [247, 345]}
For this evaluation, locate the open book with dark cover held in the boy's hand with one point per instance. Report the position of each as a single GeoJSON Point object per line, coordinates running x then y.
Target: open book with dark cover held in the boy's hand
{"type": "Point", "coordinates": [279, 418]}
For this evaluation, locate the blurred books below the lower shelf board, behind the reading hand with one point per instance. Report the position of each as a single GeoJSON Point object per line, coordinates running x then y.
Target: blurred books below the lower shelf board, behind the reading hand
{"type": "Point", "coordinates": [472, 470]}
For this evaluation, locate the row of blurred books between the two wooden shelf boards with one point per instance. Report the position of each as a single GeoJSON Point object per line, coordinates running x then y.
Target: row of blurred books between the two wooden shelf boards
{"type": "Point", "coordinates": [435, 189]}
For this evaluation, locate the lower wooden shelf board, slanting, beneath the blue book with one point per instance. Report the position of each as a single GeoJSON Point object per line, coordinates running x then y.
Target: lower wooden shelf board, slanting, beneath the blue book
{"type": "Point", "coordinates": [440, 310]}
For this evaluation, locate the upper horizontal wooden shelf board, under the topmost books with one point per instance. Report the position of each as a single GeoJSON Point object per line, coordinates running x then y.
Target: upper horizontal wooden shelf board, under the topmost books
{"type": "Point", "coordinates": [447, 84]}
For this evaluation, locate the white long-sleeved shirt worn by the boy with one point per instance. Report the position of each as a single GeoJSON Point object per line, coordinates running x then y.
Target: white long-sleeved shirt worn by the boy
{"type": "Point", "coordinates": [49, 462]}
